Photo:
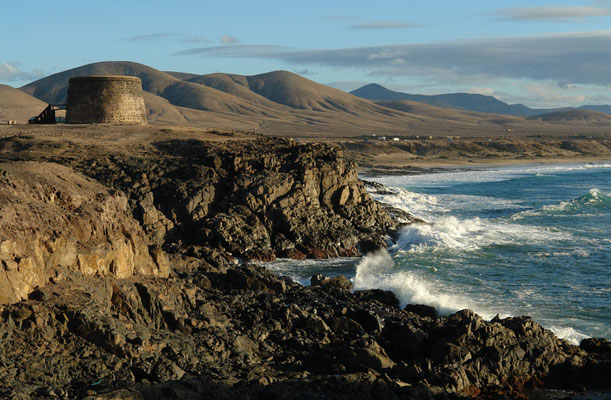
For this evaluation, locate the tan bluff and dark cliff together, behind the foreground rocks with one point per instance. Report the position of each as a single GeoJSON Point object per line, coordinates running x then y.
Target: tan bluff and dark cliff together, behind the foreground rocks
{"type": "Point", "coordinates": [255, 199]}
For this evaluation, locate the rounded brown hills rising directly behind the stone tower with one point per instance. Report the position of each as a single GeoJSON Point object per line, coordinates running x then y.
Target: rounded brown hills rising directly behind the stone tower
{"type": "Point", "coordinates": [276, 97]}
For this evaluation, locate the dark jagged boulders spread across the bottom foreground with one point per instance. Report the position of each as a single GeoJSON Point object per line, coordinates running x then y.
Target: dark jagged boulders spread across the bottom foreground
{"type": "Point", "coordinates": [245, 333]}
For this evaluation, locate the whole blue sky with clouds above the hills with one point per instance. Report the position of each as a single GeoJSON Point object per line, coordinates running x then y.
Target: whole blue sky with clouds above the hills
{"type": "Point", "coordinates": [542, 54]}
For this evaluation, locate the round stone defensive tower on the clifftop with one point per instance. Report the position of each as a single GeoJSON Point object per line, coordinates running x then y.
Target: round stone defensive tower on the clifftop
{"type": "Point", "coordinates": [105, 99]}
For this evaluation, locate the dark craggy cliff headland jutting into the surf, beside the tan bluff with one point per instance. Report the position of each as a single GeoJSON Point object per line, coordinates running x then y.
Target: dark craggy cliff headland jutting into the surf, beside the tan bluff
{"type": "Point", "coordinates": [256, 199]}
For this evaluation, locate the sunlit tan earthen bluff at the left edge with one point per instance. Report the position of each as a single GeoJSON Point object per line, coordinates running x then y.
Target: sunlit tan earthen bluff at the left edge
{"type": "Point", "coordinates": [52, 219]}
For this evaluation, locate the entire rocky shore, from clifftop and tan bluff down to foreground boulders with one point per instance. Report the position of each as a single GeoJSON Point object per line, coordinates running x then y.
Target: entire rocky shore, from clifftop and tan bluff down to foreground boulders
{"type": "Point", "coordinates": [126, 274]}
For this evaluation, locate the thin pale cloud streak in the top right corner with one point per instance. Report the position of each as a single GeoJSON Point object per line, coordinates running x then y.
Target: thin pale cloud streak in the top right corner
{"type": "Point", "coordinates": [553, 13]}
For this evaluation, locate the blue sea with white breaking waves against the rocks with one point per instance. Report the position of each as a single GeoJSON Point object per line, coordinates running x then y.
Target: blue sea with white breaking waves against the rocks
{"type": "Point", "coordinates": [515, 240]}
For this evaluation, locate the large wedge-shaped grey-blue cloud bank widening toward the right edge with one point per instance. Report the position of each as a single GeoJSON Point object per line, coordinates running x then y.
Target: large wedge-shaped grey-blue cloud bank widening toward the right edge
{"type": "Point", "coordinates": [568, 58]}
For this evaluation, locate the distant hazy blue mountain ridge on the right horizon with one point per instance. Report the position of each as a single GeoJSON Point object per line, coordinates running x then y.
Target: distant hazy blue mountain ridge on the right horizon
{"type": "Point", "coordinates": [463, 101]}
